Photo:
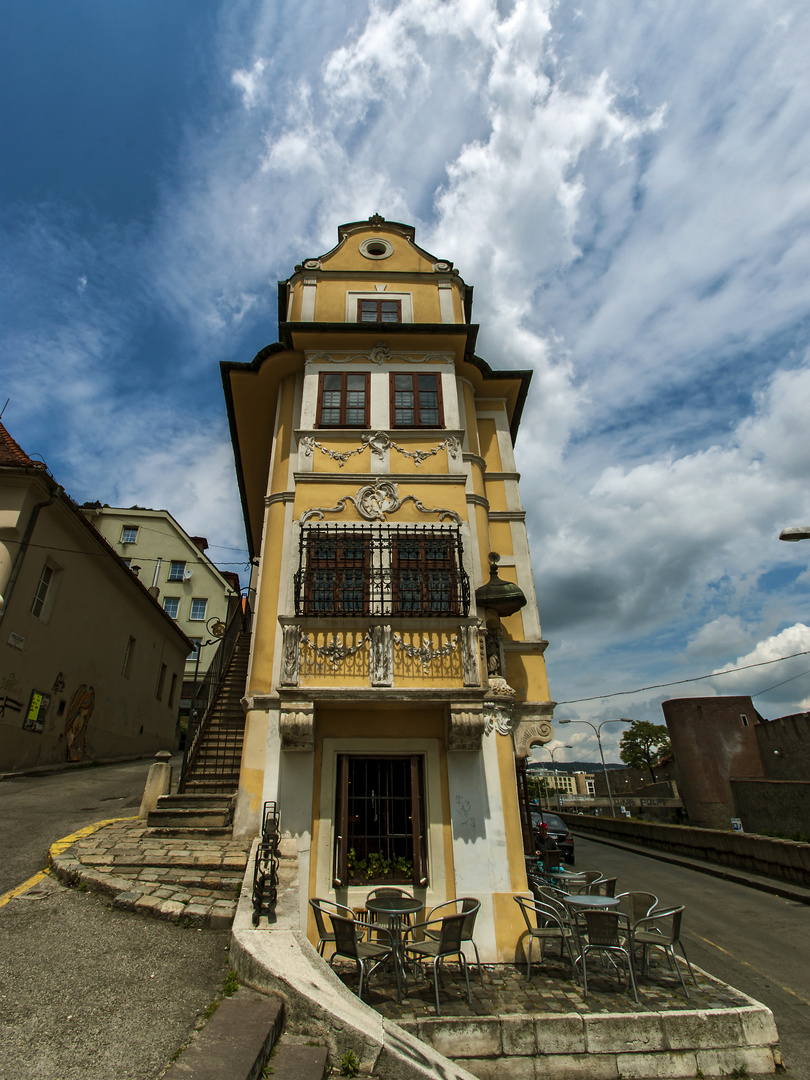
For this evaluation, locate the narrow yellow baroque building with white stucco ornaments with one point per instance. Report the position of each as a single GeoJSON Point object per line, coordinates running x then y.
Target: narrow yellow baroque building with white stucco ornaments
{"type": "Point", "coordinates": [397, 679]}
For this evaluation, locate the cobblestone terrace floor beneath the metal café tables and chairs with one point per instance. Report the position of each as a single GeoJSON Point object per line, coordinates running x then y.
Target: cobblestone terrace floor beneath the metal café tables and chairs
{"type": "Point", "coordinates": [552, 990]}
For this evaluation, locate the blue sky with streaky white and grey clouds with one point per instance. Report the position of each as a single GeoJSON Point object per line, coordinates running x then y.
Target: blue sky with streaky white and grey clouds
{"type": "Point", "coordinates": [627, 183]}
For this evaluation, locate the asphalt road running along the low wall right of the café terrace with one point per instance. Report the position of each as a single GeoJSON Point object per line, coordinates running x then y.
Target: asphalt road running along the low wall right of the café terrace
{"type": "Point", "coordinates": [758, 942]}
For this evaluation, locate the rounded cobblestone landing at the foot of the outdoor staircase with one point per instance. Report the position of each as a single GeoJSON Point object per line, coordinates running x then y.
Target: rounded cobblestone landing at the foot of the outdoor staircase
{"type": "Point", "coordinates": [191, 880]}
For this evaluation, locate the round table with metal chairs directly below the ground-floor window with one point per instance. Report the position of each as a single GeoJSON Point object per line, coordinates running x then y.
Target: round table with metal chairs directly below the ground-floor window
{"type": "Point", "coordinates": [387, 940]}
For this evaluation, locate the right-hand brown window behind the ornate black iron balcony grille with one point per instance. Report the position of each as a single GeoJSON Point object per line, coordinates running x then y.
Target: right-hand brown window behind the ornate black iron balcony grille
{"type": "Point", "coordinates": [425, 575]}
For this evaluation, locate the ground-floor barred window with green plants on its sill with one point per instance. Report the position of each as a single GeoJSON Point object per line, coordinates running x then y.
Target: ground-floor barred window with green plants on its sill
{"type": "Point", "coordinates": [380, 821]}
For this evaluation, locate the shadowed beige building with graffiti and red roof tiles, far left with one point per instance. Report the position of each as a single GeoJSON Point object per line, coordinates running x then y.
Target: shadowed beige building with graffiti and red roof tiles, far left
{"type": "Point", "coordinates": [91, 667]}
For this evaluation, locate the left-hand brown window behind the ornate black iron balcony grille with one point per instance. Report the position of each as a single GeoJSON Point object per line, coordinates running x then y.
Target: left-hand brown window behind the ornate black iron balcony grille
{"type": "Point", "coordinates": [336, 580]}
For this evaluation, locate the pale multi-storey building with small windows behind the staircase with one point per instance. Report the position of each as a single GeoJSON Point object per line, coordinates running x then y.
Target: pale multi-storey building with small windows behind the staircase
{"type": "Point", "coordinates": [181, 576]}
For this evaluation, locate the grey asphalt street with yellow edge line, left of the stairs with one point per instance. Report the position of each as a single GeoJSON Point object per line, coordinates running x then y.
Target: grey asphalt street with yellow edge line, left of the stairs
{"type": "Point", "coordinates": [88, 993]}
